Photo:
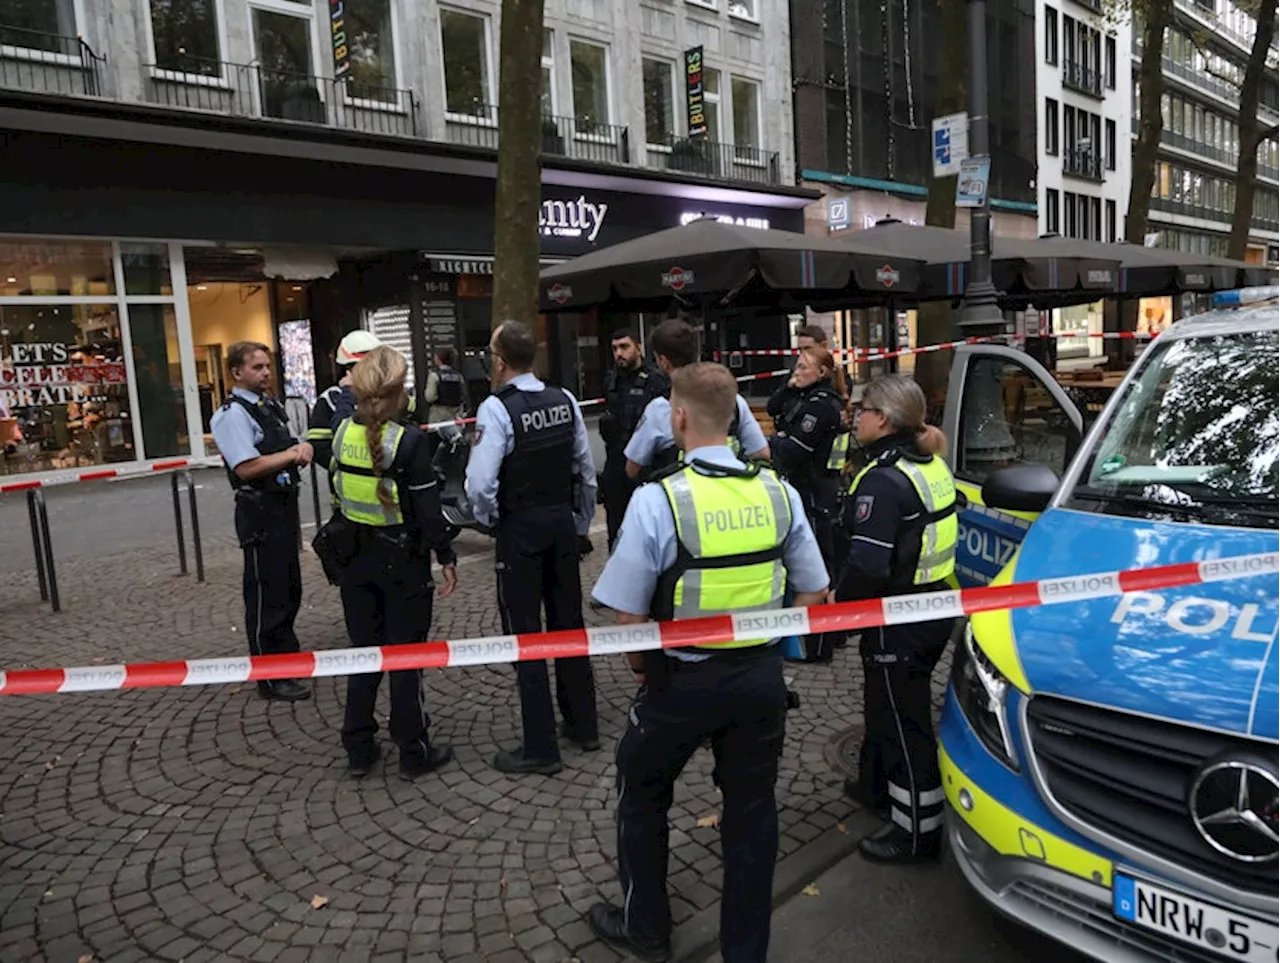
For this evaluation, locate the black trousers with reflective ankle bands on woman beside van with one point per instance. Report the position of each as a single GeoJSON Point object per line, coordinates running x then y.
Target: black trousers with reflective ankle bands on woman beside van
{"type": "Point", "coordinates": [899, 761]}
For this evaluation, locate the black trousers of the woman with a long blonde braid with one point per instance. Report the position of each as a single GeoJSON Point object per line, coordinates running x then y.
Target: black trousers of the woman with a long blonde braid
{"type": "Point", "coordinates": [387, 601]}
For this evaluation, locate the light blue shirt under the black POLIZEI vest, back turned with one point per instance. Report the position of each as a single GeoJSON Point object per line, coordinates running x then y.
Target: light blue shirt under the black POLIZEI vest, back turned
{"type": "Point", "coordinates": [496, 440]}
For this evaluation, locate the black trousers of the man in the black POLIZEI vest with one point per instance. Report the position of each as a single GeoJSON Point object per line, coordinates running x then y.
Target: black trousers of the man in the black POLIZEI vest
{"type": "Point", "coordinates": [538, 567]}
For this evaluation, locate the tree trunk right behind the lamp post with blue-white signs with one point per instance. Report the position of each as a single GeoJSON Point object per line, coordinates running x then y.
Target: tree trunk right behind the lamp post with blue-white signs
{"type": "Point", "coordinates": [934, 320]}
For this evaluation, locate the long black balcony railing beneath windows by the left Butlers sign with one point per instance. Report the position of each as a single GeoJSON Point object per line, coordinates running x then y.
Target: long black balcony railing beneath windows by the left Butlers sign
{"type": "Point", "coordinates": [250, 90]}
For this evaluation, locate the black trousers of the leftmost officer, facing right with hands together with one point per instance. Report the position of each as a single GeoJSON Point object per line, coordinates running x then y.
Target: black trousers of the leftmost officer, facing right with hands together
{"type": "Point", "coordinates": [268, 530]}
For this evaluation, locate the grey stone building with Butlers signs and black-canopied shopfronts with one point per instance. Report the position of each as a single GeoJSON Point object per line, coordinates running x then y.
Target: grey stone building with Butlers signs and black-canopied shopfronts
{"type": "Point", "coordinates": [286, 171]}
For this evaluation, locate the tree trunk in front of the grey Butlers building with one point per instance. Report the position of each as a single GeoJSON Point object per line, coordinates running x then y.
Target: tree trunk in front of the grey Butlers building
{"type": "Point", "coordinates": [516, 234]}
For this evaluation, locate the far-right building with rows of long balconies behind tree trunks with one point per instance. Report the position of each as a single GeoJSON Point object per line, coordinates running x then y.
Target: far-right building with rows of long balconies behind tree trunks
{"type": "Point", "coordinates": [1194, 198]}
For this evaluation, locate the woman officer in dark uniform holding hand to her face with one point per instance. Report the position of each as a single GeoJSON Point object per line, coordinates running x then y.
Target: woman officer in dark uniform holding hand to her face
{"type": "Point", "coordinates": [810, 449]}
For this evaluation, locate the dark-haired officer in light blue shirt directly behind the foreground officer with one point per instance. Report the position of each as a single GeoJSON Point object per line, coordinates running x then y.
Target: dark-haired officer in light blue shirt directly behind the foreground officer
{"type": "Point", "coordinates": [653, 448]}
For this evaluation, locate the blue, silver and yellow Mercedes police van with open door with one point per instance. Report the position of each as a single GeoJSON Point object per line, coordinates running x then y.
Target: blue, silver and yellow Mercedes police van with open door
{"type": "Point", "coordinates": [1113, 766]}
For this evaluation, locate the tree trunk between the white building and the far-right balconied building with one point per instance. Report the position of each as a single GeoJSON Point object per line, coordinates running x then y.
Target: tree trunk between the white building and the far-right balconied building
{"type": "Point", "coordinates": [1151, 89]}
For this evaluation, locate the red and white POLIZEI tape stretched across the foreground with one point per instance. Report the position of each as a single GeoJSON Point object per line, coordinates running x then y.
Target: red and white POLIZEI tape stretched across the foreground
{"type": "Point", "coordinates": [610, 641]}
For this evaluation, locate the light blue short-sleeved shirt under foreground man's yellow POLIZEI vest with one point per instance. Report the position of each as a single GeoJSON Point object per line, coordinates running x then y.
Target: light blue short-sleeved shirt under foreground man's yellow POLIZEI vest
{"type": "Point", "coordinates": [647, 545]}
